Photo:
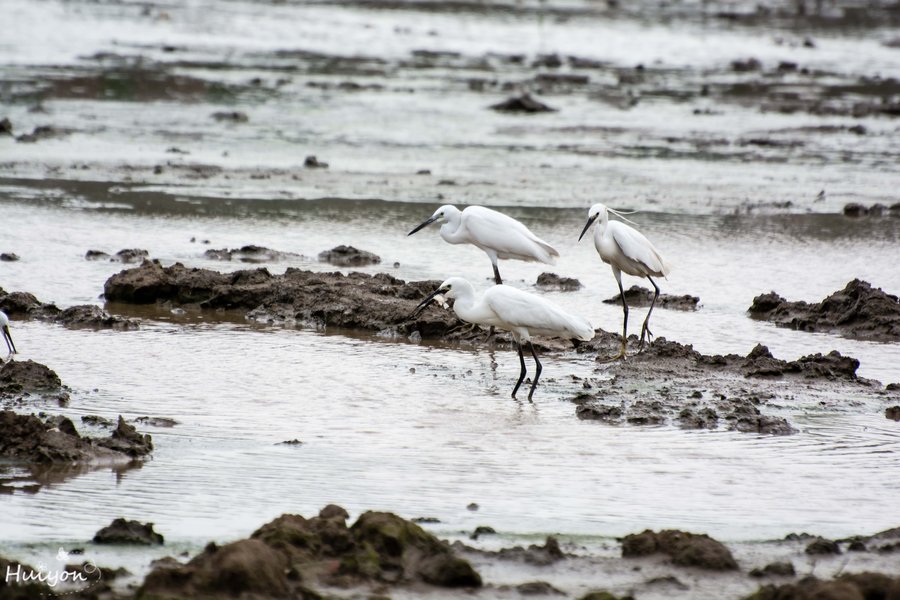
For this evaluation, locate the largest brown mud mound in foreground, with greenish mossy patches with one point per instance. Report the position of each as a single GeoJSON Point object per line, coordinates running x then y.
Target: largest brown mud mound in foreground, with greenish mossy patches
{"type": "Point", "coordinates": [287, 555]}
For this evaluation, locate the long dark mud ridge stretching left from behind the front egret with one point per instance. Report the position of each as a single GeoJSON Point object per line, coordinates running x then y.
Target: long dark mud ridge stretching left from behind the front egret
{"type": "Point", "coordinates": [370, 302]}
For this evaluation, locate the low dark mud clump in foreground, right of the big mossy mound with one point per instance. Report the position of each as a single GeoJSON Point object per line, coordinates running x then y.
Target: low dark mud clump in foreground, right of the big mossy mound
{"type": "Point", "coordinates": [685, 549]}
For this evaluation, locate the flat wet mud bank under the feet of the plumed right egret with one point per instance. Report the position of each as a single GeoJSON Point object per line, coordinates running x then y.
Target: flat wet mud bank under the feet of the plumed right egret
{"type": "Point", "coordinates": [671, 383]}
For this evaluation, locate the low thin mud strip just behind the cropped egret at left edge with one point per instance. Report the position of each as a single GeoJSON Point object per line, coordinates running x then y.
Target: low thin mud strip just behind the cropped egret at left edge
{"type": "Point", "coordinates": [18, 305]}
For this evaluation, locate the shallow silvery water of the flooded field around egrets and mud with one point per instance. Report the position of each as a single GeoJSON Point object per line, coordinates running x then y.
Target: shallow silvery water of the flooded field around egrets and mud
{"type": "Point", "coordinates": [425, 430]}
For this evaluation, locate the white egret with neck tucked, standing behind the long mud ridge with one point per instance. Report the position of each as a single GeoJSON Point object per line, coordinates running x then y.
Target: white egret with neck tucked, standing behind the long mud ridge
{"type": "Point", "coordinates": [499, 235]}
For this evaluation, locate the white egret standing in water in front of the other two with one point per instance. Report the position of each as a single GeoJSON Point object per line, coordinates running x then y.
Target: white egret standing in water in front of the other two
{"type": "Point", "coordinates": [520, 313]}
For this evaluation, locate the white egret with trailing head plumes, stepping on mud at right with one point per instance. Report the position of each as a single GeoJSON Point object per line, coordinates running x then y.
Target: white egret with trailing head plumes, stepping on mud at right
{"type": "Point", "coordinates": [624, 248]}
